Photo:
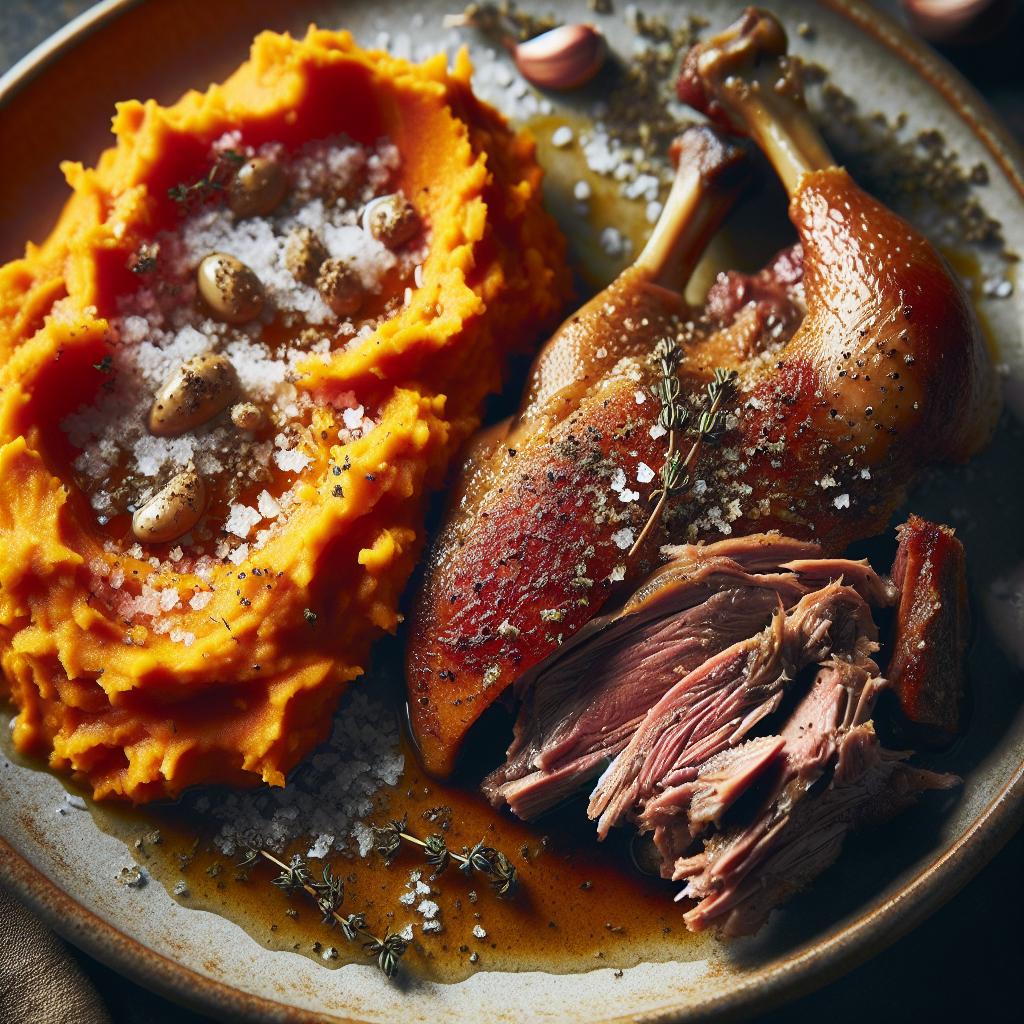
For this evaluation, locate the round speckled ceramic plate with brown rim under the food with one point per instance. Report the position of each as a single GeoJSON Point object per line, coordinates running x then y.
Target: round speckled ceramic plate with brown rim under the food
{"type": "Point", "coordinates": [57, 105]}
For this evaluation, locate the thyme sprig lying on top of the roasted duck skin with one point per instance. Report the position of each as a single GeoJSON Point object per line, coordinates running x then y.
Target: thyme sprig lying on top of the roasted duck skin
{"type": "Point", "coordinates": [675, 418]}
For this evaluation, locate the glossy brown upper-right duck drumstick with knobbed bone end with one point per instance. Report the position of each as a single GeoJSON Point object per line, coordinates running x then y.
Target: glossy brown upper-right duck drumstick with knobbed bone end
{"type": "Point", "coordinates": [889, 336]}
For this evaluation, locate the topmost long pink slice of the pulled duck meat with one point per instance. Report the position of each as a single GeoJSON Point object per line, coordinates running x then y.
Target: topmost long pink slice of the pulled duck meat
{"type": "Point", "coordinates": [583, 706]}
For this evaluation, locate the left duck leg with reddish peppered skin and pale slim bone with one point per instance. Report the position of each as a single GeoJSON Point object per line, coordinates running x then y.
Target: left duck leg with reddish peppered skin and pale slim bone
{"type": "Point", "coordinates": [505, 579]}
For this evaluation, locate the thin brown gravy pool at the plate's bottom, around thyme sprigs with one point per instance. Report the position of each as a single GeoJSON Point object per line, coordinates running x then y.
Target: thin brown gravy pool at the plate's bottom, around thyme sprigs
{"type": "Point", "coordinates": [579, 906]}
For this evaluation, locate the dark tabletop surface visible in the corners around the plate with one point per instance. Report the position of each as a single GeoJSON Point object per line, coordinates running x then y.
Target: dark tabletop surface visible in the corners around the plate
{"type": "Point", "coordinates": [967, 962]}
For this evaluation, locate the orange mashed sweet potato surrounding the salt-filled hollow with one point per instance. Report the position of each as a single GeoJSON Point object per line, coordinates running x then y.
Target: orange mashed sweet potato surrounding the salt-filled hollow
{"type": "Point", "coordinates": [136, 713]}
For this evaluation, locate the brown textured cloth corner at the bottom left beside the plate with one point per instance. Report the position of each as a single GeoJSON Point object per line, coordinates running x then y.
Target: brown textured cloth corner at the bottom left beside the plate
{"type": "Point", "coordinates": [40, 984]}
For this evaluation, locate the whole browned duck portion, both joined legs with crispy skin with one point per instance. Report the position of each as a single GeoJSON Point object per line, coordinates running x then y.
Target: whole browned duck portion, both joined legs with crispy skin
{"type": "Point", "coordinates": [833, 419]}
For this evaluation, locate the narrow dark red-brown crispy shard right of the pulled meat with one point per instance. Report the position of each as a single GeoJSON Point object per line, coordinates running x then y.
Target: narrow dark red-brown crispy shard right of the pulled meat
{"type": "Point", "coordinates": [932, 628]}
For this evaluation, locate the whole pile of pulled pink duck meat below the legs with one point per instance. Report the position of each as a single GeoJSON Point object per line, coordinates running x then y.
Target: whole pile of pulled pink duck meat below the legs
{"type": "Point", "coordinates": [693, 704]}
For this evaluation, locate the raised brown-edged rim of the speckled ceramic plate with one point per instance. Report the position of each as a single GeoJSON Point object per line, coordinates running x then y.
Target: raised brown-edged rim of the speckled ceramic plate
{"type": "Point", "coordinates": [783, 980]}
